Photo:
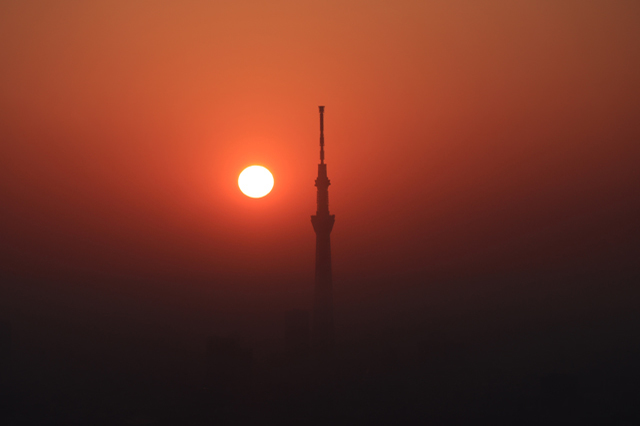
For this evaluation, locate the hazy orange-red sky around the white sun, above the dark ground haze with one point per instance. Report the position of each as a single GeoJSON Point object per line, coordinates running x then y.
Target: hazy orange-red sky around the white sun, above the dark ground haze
{"type": "Point", "coordinates": [463, 138]}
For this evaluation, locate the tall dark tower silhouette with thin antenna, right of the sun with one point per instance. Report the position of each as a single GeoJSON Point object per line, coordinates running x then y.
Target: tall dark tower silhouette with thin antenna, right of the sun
{"type": "Point", "coordinates": [322, 332]}
